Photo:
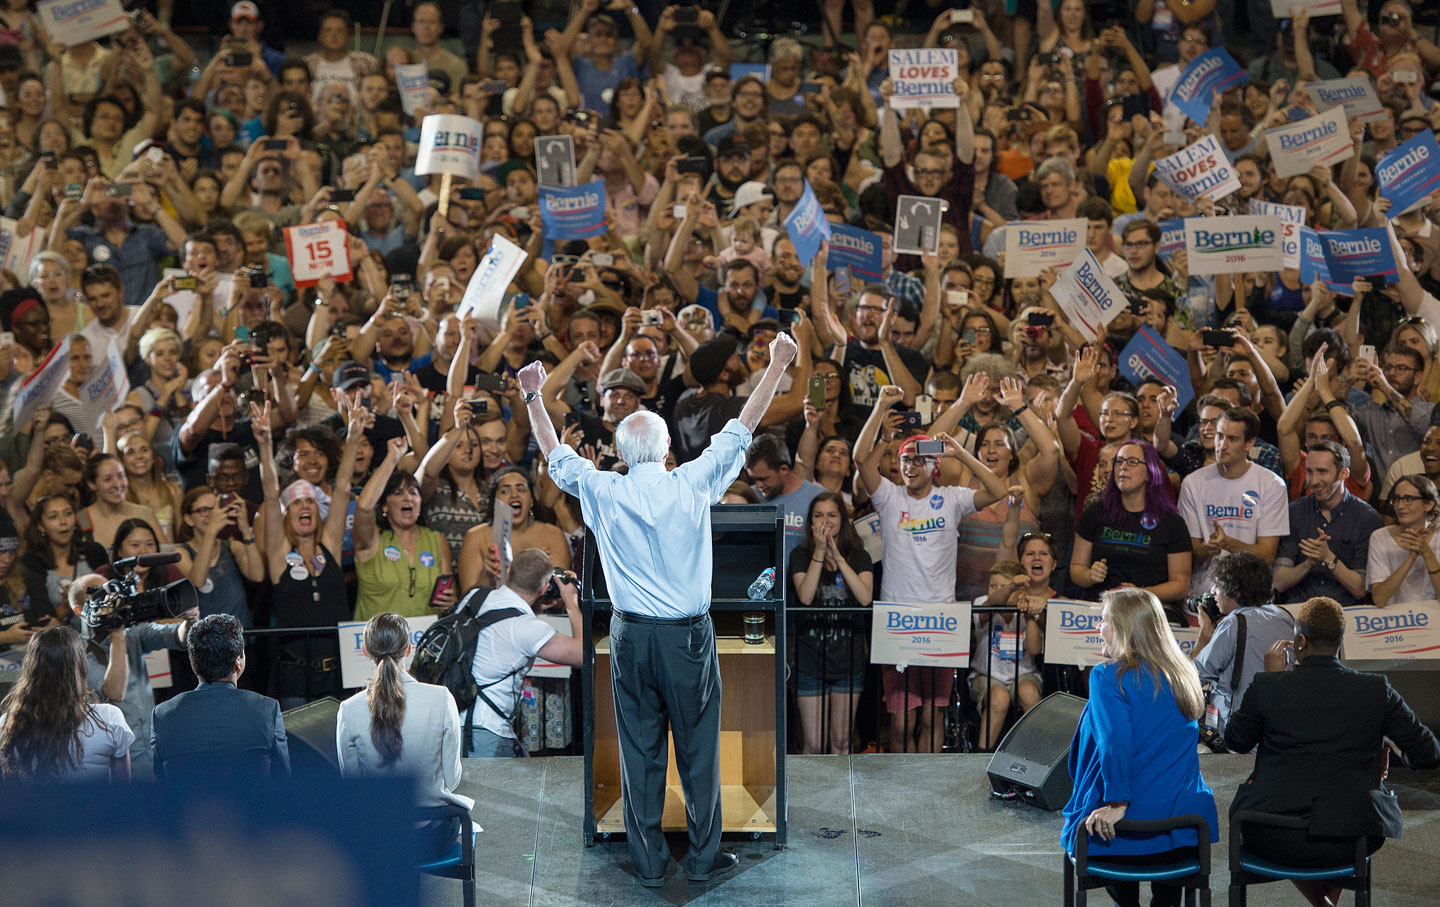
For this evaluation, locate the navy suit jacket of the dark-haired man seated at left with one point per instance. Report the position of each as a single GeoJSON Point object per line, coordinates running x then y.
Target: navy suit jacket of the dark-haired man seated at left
{"type": "Point", "coordinates": [218, 732]}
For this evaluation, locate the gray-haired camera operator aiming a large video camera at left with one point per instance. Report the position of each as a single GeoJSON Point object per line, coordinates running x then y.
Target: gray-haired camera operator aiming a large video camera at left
{"type": "Point", "coordinates": [117, 672]}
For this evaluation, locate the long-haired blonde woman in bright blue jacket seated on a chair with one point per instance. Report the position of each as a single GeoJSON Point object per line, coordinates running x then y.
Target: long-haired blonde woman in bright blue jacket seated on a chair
{"type": "Point", "coordinates": [1134, 755]}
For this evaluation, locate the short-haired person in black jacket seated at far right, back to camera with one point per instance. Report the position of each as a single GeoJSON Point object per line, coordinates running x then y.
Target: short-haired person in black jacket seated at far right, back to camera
{"type": "Point", "coordinates": [1318, 762]}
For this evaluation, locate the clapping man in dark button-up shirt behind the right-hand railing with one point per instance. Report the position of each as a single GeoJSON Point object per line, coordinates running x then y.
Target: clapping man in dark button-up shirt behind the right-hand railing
{"type": "Point", "coordinates": [1328, 545]}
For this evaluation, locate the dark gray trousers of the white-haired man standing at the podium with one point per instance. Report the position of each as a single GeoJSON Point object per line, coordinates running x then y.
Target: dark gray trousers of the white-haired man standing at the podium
{"type": "Point", "coordinates": [666, 674]}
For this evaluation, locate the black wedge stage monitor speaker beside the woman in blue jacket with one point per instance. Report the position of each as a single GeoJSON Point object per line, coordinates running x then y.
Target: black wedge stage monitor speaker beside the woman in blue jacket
{"type": "Point", "coordinates": [1032, 759]}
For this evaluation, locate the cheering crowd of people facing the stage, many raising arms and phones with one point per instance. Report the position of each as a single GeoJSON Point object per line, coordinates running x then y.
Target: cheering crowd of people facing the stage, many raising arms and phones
{"type": "Point", "coordinates": [336, 451]}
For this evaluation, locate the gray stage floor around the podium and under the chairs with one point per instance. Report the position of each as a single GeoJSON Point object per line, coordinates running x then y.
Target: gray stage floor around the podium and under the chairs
{"type": "Point", "coordinates": [863, 830]}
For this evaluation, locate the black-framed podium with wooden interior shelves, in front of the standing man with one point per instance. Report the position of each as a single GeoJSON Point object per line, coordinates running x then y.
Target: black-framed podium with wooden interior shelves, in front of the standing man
{"type": "Point", "coordinates": [747, 539]}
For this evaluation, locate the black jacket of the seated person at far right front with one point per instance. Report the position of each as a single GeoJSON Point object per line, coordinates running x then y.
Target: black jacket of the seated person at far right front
{"type": "Point", "coordinates": [1320, 731]}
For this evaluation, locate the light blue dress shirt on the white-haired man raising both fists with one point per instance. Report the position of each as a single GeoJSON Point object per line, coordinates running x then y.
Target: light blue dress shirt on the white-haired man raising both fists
{"type": "Point", "coordinates": [653, 528]}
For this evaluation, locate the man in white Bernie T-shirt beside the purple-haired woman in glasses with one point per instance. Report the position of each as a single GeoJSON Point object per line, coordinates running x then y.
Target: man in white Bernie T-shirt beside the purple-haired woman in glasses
{"type": "Point", "coordinates": [1235, 505]}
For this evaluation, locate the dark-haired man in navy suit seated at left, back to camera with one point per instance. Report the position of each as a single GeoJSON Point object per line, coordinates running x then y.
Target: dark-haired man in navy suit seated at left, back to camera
{"type": "Point", "coordinates": [218, 731]}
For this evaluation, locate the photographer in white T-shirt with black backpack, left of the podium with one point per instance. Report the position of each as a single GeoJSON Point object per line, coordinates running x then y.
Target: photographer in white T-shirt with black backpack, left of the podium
{"type": "Point", "coordinates": [506, 650]}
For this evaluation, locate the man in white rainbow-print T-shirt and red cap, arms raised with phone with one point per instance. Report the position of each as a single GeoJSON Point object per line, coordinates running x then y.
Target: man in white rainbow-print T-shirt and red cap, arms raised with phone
{"type": "Point", "coordinates": [918, 525]}
